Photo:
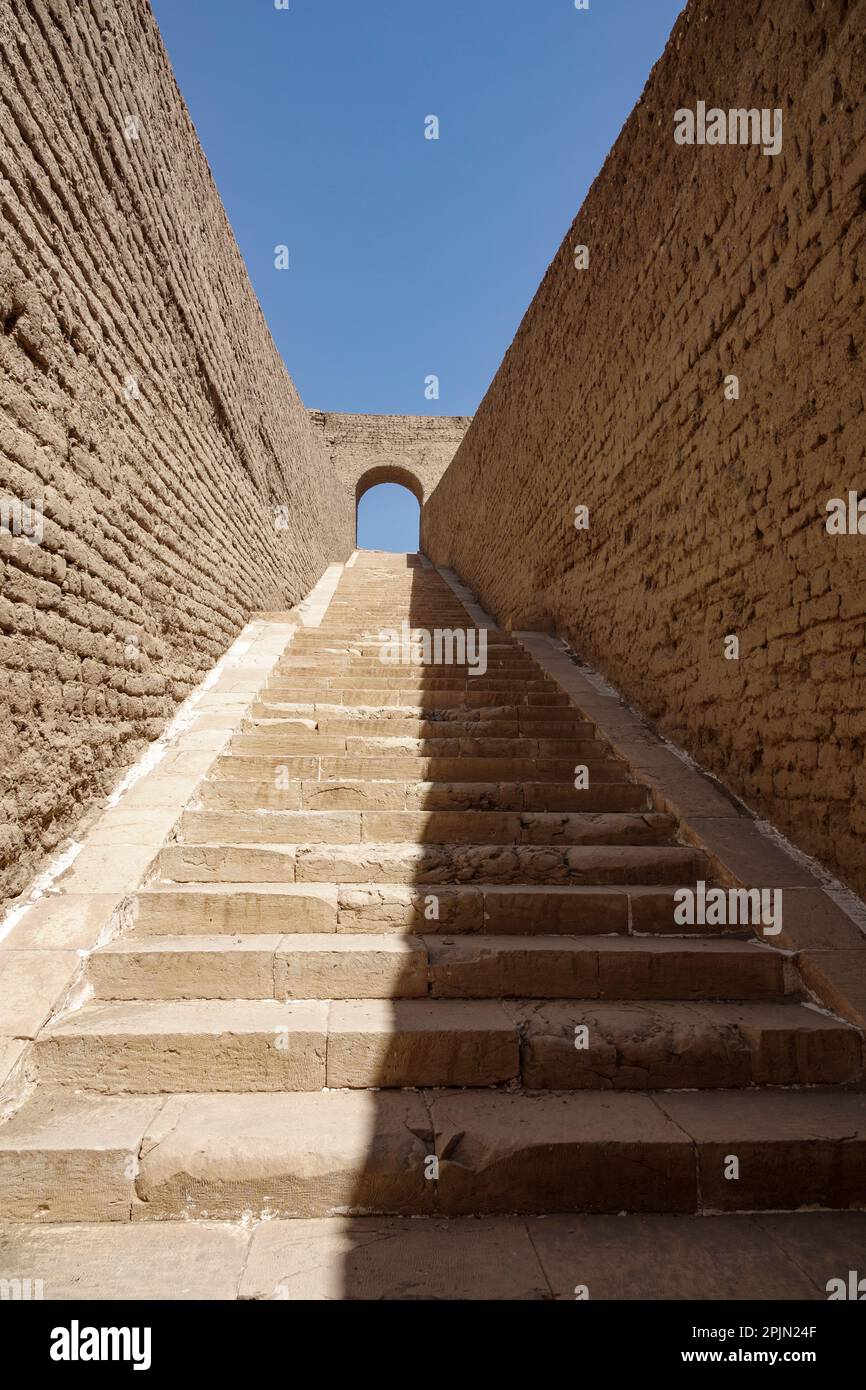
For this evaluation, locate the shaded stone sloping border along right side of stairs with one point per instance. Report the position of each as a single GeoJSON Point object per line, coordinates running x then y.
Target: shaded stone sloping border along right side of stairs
{"type": "Point", "coordinates": [824, 924]}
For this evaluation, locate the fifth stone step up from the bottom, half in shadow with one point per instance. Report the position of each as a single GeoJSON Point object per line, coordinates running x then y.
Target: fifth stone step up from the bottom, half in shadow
{"type": "Point", "coordinates": [432, 864]}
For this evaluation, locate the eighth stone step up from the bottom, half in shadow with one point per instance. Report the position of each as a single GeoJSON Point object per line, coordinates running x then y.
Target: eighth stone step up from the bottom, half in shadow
{"type": "Point", "coordinates": [269, 768]}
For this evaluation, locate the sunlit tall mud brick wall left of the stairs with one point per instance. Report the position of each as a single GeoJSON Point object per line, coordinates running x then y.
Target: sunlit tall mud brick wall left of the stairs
{"type": "Point", "coordinates": [142, 401]}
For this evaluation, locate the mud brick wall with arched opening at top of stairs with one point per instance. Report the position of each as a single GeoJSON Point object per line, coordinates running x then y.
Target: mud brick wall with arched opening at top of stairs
{"type": "Point", "coordinates": [365, 451]}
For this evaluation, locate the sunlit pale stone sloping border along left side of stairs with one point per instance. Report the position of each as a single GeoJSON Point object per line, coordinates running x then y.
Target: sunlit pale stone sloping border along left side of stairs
{"type": "Point", "coordinates": [80, 901]}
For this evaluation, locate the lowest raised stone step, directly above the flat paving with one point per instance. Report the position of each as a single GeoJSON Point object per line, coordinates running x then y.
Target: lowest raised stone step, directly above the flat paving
{"type": "Point", "coordinates": [327, 1153]}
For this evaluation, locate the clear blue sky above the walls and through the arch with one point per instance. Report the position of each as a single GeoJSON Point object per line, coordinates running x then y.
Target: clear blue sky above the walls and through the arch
{"type": "Point", "coordinates": [408, 258]}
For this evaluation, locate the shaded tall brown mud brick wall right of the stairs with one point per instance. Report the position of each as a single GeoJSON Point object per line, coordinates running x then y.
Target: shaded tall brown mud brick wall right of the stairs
{"type": "Point", "coordinates": [707, 516]}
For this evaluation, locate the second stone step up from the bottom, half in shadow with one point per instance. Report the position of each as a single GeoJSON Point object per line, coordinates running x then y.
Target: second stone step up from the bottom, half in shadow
{"type": "Point", "coordinates": [243, 1046]}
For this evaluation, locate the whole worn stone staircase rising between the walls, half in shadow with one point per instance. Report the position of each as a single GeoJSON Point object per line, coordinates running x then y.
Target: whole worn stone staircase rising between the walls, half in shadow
{"type": "Point", "coordinates": [395, 963]}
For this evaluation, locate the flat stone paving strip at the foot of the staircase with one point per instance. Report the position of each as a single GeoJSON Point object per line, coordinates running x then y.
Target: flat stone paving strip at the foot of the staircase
{"type": "Point", "coordinates": [799, 1256]}
